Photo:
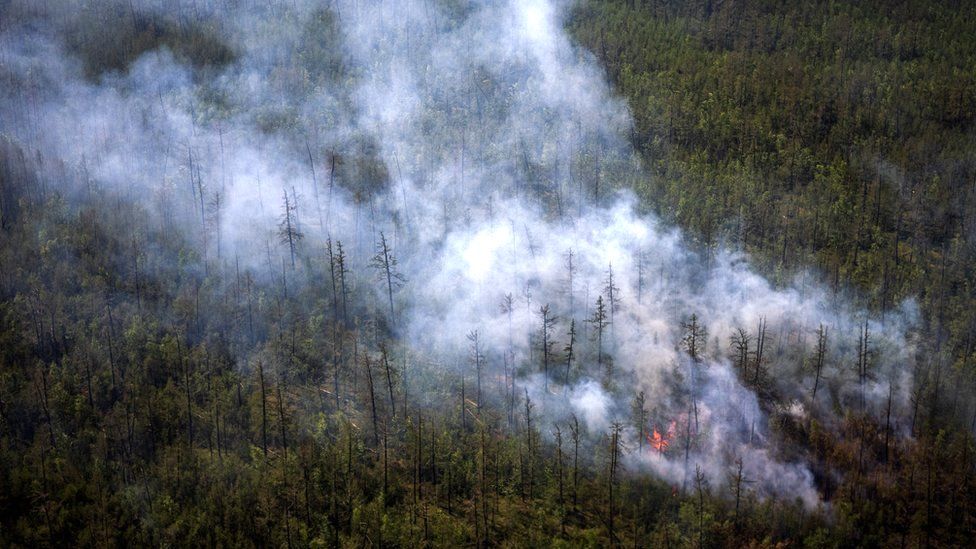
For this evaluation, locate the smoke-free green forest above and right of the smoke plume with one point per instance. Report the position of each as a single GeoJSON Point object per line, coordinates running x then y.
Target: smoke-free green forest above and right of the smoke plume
{"type": "Point", "coordinates": [833, 135]}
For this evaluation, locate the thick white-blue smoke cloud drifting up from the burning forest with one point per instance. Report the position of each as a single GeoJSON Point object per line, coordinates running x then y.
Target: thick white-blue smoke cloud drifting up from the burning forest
{"type": "Point", "coordinates": [490, 152]}
